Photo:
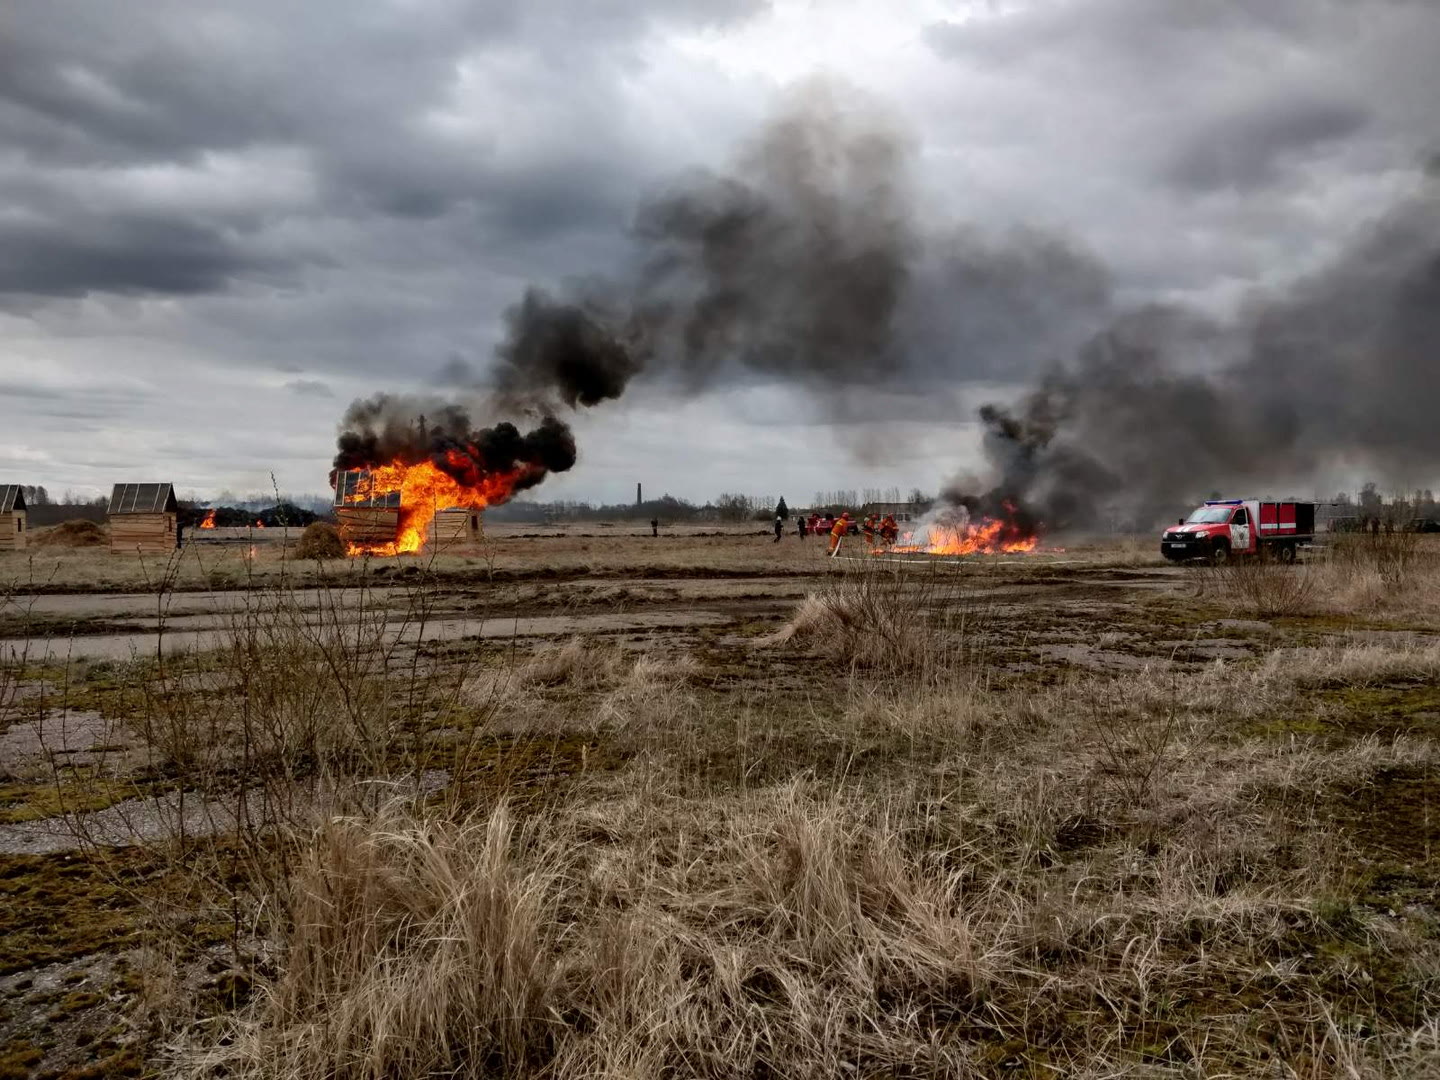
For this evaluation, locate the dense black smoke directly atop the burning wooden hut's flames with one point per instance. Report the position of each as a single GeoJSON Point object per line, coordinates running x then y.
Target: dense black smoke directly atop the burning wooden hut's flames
{"type": "Point", "coordinates": [387, 428]}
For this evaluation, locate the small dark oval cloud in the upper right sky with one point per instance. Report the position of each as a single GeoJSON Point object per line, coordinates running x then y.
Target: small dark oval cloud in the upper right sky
{"type": "Point", "coordinates": [1252, 149]}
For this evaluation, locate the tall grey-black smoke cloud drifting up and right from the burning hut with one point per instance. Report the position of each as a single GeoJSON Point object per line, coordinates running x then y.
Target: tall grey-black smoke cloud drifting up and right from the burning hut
{"type": "Point", "coordinates": [806, 264]}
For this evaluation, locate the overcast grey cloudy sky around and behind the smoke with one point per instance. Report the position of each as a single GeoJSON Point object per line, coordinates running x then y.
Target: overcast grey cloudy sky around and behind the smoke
{"type": "Point", "coordinates": [221, 222]}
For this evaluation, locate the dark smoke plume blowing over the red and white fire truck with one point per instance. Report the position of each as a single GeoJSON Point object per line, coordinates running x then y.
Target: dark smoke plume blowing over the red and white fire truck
{"type": "Point", "coordinates": [1338, 372]}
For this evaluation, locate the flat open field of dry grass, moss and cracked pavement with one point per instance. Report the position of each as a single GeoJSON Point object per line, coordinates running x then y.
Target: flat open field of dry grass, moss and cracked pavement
{"type": "Point", "coordinates": [585, 803]}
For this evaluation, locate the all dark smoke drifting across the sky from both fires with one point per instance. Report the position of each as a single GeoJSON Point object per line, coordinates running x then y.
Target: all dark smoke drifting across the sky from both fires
{"type": "Point", "coordinates": [813, 267]}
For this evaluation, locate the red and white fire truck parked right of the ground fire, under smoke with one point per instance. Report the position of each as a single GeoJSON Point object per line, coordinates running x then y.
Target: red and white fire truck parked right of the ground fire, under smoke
{"type": "Point", "coordinates": [1229, 528]}
